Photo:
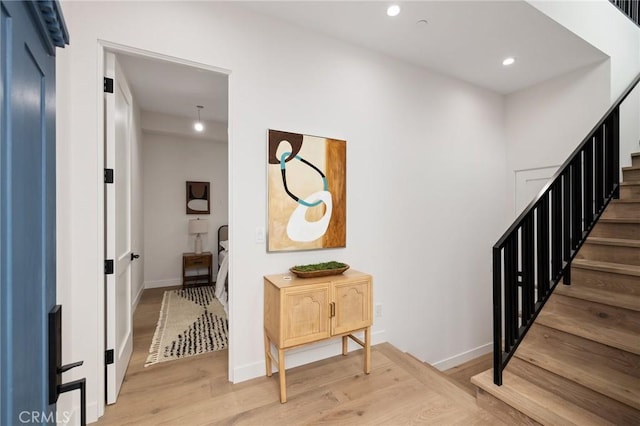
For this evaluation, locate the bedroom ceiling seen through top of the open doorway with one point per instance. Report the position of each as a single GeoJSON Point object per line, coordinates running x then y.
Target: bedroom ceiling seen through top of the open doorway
{"type": "Point", "coordinates": [176, 89]}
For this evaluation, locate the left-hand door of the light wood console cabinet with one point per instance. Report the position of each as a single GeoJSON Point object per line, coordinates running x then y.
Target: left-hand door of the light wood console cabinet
{"type": "Point", "coordinates": [306, 314]}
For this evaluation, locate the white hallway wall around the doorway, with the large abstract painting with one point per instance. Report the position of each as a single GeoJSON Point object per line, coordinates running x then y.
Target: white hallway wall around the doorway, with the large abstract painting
{"type": "Point", "coordinates": [425, 159]}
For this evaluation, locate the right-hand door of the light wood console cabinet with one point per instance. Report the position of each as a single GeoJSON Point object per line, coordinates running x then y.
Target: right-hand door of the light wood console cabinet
{"type": "Point", "coordinates": [353, 306]}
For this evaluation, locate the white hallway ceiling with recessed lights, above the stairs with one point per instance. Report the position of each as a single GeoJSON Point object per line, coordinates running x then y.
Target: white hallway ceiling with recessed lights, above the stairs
{"type": "Point", "coordinates": [465, 39]}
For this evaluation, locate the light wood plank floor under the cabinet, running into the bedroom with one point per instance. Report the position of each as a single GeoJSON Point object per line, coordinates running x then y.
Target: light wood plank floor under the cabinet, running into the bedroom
{"type": "Point", "coordinates": [195, 391]}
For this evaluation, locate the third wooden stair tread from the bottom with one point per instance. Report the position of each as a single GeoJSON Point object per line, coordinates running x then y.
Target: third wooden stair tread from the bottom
{"type": "Point", "coordinates": [609, 325]}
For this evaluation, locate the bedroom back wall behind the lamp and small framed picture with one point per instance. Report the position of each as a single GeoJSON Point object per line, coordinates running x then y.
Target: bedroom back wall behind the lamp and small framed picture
{"type": "Point", "coordinates": [170, 161]}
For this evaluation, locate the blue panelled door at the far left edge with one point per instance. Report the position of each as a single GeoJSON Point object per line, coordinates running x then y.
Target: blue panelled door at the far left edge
{"type": "Point", "coordinates": [29, 32]}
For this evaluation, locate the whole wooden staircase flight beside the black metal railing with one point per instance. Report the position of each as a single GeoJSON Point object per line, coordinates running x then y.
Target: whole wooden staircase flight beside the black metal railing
{"type": "Point", "coordinates": [579, 363]}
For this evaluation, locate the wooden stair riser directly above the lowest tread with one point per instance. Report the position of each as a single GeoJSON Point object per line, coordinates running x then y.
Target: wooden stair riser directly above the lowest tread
{"type": "Point", "coordinates": [583, 397]}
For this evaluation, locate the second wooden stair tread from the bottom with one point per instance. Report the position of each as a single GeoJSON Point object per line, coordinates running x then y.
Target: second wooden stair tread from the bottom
{"type": "Point", "coordinates": [563, 354]}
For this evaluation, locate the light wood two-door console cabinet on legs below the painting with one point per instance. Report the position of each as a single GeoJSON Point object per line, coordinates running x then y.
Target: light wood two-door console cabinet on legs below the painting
{"type": "Point", "coordinates": [305, 310]}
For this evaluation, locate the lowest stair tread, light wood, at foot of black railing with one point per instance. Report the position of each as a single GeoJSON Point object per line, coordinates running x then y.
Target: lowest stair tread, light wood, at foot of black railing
{"type": "Point", "coordinates": [535, 402]}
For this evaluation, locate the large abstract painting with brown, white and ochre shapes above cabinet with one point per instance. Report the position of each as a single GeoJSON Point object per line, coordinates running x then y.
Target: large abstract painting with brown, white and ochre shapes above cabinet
{"type": "Point", "coordinates": [307, 192]}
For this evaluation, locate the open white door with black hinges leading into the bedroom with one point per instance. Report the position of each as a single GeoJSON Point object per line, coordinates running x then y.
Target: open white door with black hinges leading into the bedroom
{"type": "Point", "coordinates": [119, 334]}
